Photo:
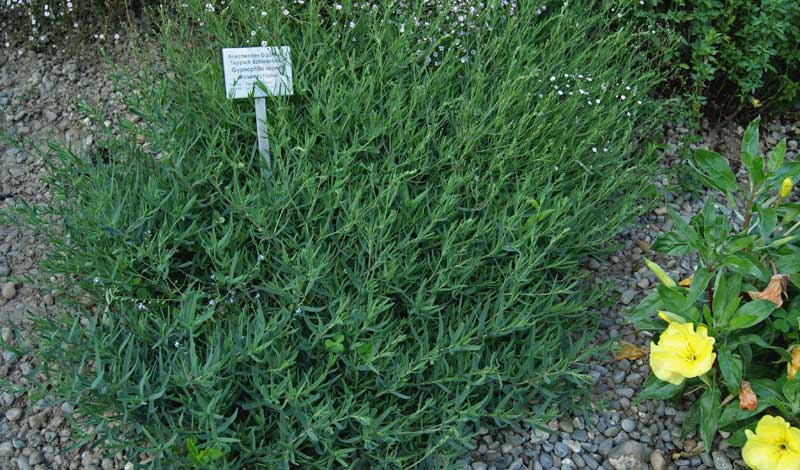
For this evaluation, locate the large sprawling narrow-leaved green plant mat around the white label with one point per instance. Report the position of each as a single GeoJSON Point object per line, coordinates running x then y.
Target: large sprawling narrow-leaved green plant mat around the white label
{"type": "Point", "coordinates": [406, 270]}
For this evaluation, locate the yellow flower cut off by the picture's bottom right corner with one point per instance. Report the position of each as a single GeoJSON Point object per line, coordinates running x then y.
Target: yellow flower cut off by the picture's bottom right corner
{"type": "Point", "coordinates": [775, 445]}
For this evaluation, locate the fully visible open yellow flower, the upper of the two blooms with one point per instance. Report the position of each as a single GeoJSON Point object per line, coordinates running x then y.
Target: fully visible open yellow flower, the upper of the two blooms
{"type": "Point", "coordinates": [681, 353]}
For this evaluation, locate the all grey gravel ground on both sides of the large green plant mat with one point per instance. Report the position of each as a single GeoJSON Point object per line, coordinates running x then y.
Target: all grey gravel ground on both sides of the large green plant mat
{"type": "Point", "coordinates": [37, 96]}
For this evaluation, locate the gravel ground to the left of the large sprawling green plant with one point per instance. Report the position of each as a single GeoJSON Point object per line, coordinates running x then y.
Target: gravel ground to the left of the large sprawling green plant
{"type": "Point", "coordinates": [38, 93]}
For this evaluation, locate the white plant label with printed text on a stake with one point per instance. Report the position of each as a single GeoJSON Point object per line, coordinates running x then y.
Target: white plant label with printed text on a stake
{"type": "Point", "coordinates": [258, 72]}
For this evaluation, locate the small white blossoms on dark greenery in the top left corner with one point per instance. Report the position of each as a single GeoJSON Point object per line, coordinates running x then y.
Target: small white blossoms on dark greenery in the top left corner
{"type": "Point", "coordinates": [42, 19]}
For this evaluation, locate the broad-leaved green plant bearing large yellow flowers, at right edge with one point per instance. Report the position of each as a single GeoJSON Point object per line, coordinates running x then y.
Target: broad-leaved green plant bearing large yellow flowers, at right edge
{"type": "Point", "coordinates": [742, 300]}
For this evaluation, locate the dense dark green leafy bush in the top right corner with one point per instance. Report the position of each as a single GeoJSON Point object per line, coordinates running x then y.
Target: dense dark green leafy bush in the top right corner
{"type": "Point", "coordinates": [729, 54]}
